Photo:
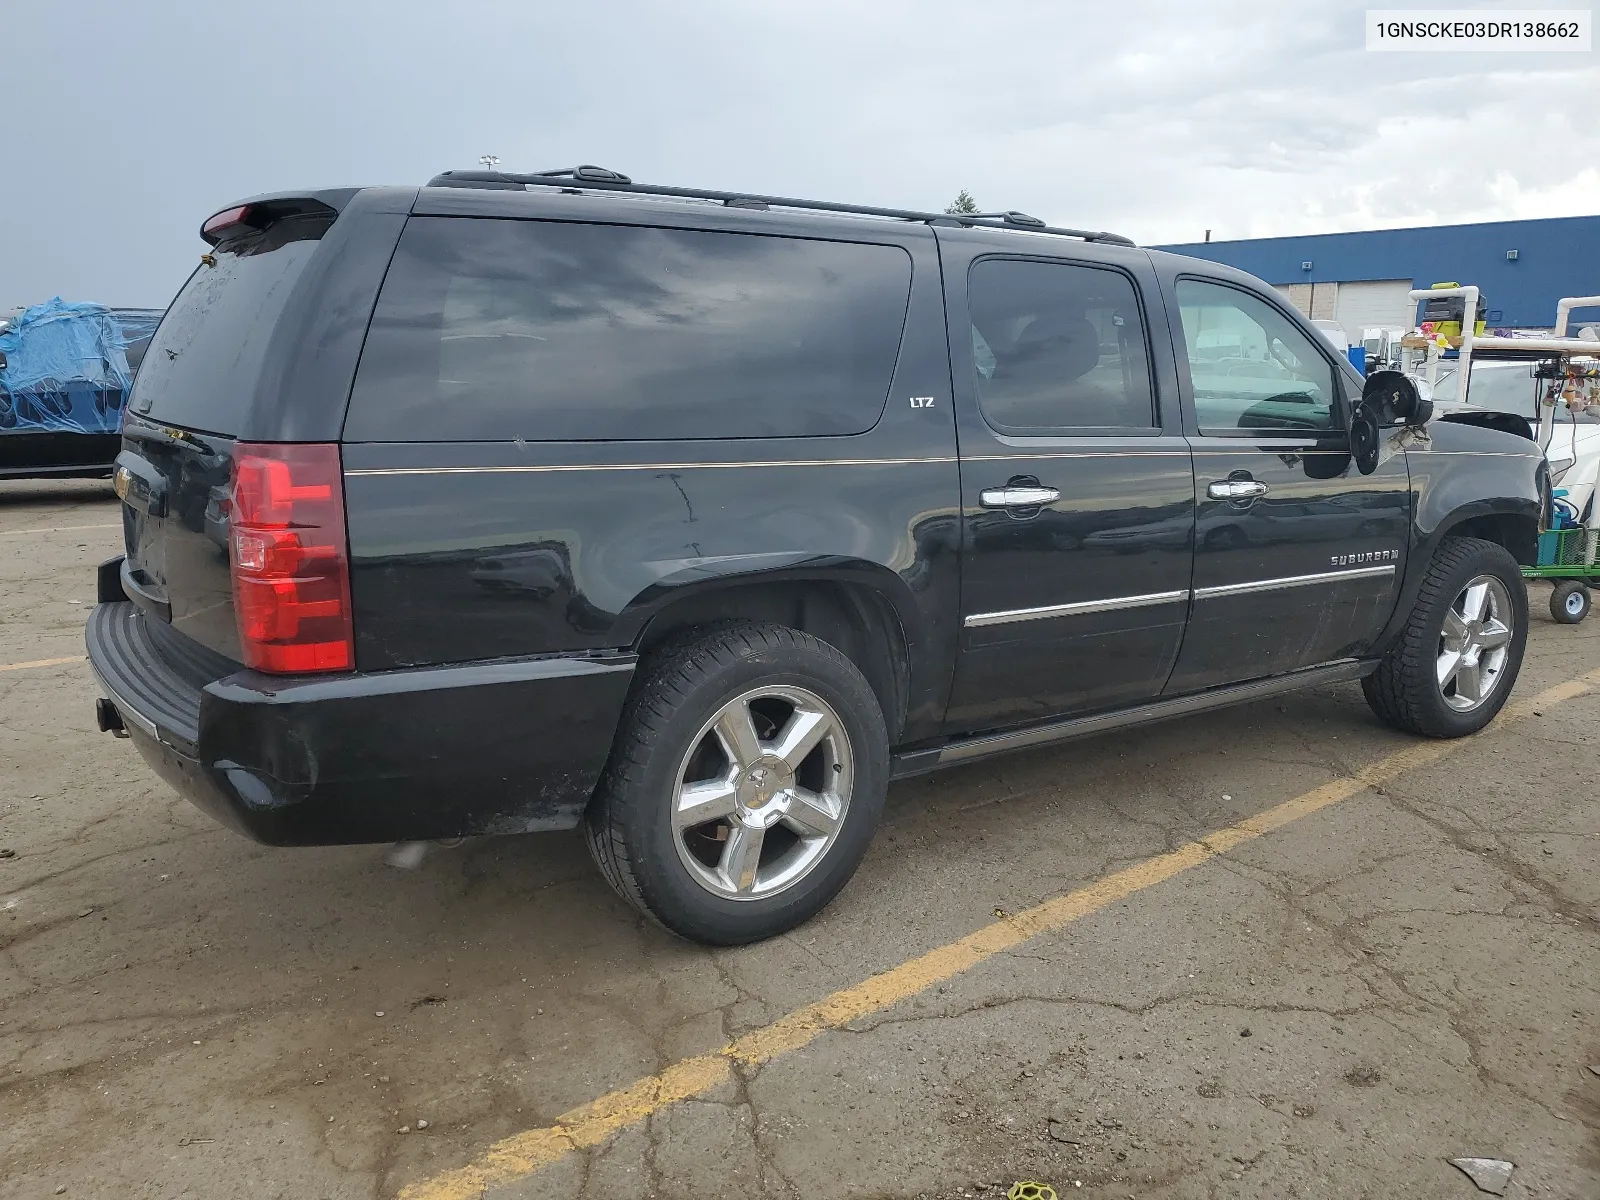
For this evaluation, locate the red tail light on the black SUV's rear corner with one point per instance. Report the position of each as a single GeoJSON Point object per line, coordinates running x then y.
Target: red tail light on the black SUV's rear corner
{"type": "Point", "coordinates": [290, 559]}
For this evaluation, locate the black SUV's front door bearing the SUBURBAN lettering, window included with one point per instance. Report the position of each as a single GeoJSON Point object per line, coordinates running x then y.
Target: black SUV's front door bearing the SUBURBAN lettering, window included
{"type": "Point", "coordinates": [1298, 556]}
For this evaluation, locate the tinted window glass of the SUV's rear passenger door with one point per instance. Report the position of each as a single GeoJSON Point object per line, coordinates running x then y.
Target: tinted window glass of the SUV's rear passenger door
{"type": "Point", "coordinates": [1058, 348]}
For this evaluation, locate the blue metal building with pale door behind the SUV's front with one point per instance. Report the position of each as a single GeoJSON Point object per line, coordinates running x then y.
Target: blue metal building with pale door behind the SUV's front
{"type": "Point", "coordinates": [1361, 281]}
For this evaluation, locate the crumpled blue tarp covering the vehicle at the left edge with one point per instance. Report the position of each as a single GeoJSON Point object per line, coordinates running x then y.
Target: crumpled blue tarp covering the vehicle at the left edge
{"type": "Point", "coordinates": [66, 369]}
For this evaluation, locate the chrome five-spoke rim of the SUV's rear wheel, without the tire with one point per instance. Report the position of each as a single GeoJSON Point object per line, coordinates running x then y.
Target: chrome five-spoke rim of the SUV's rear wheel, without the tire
{"type": "Point", "coordinates": [762, 793]}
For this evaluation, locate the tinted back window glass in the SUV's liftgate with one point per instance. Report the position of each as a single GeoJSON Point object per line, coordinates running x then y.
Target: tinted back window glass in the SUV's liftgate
{"type": "Point", "coordinates": [202, 366]}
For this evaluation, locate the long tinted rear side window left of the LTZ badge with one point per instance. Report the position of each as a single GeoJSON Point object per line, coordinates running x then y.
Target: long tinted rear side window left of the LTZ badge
{"type": "Point", "coordinates": [498, 330]}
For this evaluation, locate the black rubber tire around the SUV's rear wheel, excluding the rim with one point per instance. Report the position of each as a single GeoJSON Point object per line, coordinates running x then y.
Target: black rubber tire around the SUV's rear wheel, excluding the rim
{"type": "Point", "coordinates": [681, 689]}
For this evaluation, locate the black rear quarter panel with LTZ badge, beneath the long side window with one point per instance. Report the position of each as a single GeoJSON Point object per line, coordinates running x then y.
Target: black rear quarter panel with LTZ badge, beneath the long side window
{"type": "Point", "coordinates": [473, 551]}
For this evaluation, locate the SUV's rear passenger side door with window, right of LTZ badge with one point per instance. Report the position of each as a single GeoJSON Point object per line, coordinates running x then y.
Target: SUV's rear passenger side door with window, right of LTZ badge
{"type": "Point", "coordinates": [1078, 492]}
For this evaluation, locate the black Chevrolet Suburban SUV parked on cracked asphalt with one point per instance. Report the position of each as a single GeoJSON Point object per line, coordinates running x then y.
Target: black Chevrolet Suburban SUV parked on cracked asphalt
{"type": "Point", "coordinates": [519, 503]}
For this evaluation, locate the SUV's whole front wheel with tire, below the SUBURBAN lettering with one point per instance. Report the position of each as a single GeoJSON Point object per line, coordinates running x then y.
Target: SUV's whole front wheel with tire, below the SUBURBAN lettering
{"type": "Point", "coordinates": [1458, 658]}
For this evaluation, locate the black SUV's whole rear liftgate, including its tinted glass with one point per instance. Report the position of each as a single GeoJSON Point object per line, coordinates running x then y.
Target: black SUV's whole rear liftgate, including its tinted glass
{"type": "Point", "coordinates": [191, 401]}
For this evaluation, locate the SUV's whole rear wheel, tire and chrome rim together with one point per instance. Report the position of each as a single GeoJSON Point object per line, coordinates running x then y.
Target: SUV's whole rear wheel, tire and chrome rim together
{"type": "Point", "coordinates": [745, 786]}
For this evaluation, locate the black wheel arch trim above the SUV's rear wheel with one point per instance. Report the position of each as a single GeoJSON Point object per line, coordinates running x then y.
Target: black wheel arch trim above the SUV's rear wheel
{"type": "Point", "coordinates": [855, 617]}
